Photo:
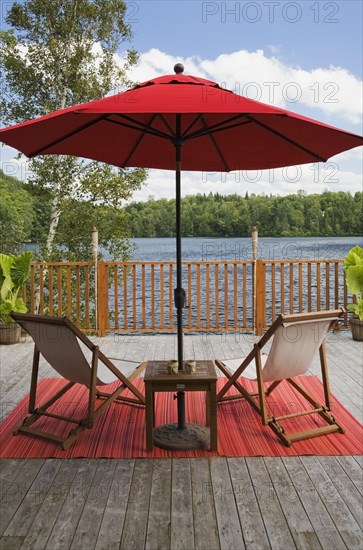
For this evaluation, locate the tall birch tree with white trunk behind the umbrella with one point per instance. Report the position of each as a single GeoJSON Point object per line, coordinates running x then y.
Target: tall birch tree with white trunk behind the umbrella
{"type": "Point", "coordinates": [56, 54]}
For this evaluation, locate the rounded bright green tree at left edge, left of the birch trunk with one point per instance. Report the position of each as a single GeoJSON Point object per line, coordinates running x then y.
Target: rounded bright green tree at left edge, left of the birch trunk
{"type": "Point", "coordinates": [16, 214]}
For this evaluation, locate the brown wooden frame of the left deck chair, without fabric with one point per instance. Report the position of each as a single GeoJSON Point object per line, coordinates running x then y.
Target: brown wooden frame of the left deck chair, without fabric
{"type": "Point", "coordinates": [92, 413]}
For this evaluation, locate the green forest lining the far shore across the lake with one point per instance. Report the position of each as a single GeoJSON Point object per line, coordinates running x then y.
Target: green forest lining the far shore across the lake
{"type": "Point", "coordinates": [25, 211]}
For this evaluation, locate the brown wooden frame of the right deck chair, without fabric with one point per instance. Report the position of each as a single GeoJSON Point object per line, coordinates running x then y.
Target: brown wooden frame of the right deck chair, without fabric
{"type": "Point", "coordinates": [258, 399]}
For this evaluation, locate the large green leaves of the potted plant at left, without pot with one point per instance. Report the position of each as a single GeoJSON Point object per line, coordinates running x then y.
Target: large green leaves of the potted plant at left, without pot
{"type": "Point", "coordinates": [14, 272]}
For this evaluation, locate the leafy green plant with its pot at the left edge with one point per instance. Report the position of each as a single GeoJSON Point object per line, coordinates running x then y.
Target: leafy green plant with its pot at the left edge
{"type": "Point", "coordinates": [14, 272]}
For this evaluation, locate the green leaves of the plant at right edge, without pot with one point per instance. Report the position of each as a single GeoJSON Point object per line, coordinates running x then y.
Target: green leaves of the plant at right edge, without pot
{"type": "Point", "coordinates": [353, 266]}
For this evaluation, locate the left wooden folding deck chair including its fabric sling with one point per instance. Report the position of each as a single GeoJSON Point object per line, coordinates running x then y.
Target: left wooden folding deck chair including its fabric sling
{"type": "Point", "coordinates": [57, 339]}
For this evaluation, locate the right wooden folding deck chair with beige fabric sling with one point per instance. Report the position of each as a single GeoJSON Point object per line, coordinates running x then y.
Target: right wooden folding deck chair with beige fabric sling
{"type": "Point", "coordinates": [296, 341]}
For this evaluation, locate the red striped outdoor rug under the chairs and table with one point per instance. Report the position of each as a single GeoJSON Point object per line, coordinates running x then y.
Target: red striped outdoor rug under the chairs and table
{"type": "Point", "coordinates": [119, 431]}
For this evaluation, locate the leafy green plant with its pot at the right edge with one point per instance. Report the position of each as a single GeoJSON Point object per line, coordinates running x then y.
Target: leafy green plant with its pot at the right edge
{"type": "Point", "coordinates": [353, 266]}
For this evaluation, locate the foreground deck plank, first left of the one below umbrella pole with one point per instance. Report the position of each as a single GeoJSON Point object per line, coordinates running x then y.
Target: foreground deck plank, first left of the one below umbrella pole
{"type": "Point", "coordinates": [158, 528]}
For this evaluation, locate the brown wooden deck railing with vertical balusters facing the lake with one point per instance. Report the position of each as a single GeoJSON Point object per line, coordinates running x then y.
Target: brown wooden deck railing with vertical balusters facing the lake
{"type": "Point", "coordinates": [221, 296]}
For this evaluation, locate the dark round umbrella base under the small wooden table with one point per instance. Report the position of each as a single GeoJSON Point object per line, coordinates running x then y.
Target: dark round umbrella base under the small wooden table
{"type": "Point", "coordinates": [192, 436]}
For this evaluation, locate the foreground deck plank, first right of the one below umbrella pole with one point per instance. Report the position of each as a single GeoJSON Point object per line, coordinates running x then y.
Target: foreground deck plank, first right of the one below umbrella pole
{"type": "Point", "coordinates": [204, 514]}
